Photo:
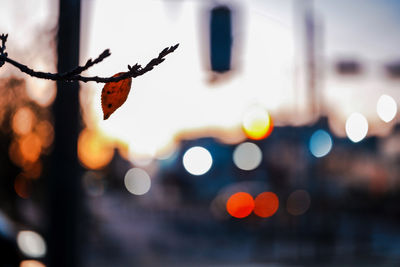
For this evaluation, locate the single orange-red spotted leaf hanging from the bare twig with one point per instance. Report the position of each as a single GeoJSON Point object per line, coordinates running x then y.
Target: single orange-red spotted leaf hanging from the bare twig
{"type": "Point", "coordinates": [114, 94]}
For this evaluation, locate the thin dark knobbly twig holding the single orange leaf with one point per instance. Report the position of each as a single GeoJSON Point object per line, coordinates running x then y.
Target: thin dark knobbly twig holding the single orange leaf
{"type": "Point", "coordinates": [74, 75]}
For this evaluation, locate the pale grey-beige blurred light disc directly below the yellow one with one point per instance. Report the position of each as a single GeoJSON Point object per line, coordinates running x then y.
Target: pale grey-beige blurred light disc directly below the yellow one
{"type": "Point", "coordinates": [247, 156]}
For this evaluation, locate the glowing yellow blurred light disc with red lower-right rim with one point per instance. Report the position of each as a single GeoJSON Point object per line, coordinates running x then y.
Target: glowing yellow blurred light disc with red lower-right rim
{"type": "Point", "coordinates": [257, 123]}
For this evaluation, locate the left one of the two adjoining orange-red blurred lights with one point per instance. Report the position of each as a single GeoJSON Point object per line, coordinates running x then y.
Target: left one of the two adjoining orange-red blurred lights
{"type": "Point", "coordinates": [240, 205]}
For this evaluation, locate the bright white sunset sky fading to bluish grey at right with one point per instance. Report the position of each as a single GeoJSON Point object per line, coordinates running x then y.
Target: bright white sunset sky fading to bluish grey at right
{"type": "Point", "coordinates": [178, 98]}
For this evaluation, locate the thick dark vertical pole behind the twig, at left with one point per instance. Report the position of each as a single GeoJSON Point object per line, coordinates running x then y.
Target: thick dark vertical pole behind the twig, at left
{"type": "Point", "coordinates": [64, 183]}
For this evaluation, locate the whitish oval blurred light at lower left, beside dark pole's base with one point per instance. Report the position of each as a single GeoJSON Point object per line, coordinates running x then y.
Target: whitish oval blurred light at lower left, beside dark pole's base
{"type": "Point", "coordinates": [31, 244]}
